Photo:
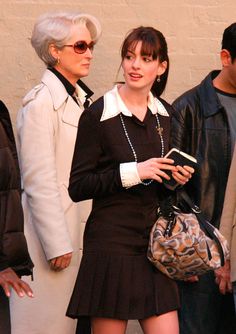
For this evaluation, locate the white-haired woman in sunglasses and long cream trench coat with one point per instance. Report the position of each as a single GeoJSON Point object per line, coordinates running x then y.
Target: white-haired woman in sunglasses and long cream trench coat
{"type": "Point", "coordinates": [47, 127]}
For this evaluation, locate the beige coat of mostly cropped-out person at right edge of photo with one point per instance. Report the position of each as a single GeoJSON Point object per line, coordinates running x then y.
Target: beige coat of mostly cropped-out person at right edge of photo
{"type": "Point", "coordinates": [228, 218]}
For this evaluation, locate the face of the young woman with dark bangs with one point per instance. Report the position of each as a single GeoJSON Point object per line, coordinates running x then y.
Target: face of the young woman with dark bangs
{"type": "Point", "coordinates": [140, 71]}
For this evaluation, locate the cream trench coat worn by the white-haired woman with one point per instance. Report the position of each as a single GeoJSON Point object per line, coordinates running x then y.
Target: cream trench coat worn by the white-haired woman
{"type": "Point", "coordinates": [47, 128]}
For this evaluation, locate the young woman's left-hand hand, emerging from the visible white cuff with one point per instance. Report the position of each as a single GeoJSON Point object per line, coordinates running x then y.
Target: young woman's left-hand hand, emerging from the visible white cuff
{"type": "Point", "coordinates": [154, 169]}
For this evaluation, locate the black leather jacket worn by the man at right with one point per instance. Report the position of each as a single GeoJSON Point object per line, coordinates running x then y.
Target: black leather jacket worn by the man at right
{"type": "Point", "coordinates": [200, 127]}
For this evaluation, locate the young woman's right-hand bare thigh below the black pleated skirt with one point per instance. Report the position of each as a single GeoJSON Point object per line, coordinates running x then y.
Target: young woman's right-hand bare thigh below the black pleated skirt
{"type": "Point", "coordinates": [163, 324]}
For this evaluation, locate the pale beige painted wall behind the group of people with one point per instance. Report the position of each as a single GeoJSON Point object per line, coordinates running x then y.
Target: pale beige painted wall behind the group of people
{"type": "Point", "coordinates": [193, 30]}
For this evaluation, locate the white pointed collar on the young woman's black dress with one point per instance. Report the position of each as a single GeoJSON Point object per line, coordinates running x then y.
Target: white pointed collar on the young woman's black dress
{"type": "Point", "coordinates": [114, 105]}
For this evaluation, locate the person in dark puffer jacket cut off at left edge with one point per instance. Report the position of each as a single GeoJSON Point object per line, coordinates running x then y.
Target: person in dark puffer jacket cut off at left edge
{"type": "Point", "coordinates": [14, 257]}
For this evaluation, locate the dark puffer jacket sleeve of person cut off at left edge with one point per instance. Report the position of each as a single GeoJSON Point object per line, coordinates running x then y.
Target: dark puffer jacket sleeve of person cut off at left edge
{"type": "Point", "coordinates": [13, 247]}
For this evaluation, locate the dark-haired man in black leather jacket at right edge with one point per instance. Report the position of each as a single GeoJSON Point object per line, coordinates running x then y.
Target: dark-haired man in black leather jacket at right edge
{"type": "Point", "coordinates": [204, 125]}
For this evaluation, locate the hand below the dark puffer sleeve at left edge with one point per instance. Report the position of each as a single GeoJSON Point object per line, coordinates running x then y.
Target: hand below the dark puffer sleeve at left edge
{"type": "Point", "coordinates": [9, 279]}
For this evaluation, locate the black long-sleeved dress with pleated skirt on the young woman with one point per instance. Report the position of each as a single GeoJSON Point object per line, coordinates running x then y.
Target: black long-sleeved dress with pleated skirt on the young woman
{"type": "Point", "coordinates": [115, 278]}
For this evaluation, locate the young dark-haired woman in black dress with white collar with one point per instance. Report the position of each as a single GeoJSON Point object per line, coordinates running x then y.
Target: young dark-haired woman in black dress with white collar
{"type": "Point", "coordinates": [119, 162]}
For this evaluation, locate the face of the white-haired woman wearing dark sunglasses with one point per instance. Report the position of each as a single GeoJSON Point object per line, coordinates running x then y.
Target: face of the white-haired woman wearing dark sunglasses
{"type": "Point", "coordinates": [72, 65]}
